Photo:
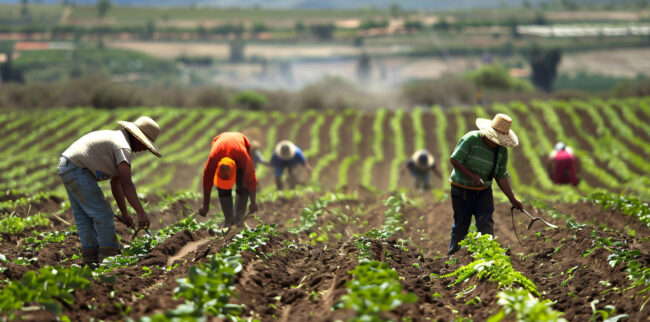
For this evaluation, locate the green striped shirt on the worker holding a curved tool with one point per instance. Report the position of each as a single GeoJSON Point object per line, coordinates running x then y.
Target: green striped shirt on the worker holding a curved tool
{"type": "Point", "coordinates": [478, 158]}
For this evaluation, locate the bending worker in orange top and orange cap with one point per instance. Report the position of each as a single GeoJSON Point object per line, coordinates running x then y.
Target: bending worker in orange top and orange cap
{"type": "Point", "coordinates": [230, 163]}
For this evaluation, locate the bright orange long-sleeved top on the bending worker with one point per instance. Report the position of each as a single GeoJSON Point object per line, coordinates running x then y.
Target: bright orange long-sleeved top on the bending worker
{"type": "Point", "coordinates": [236, 146]}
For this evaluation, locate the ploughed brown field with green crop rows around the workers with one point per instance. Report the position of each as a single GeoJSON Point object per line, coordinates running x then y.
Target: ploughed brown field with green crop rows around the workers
{"type": "Point", "coordinates": [353, 242]}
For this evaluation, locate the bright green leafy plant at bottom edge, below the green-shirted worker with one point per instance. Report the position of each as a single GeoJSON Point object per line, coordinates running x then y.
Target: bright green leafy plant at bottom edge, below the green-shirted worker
{"type": "Point", "coordinates": [525, 307]}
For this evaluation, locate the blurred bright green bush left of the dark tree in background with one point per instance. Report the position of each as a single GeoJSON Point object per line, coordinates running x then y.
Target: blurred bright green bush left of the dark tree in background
{"type": "Point", "coordinates": [497, 77]}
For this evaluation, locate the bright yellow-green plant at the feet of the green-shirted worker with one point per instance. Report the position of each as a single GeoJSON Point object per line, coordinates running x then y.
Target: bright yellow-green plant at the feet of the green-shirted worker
{"type": "Point", "coordinates": [490, 262]}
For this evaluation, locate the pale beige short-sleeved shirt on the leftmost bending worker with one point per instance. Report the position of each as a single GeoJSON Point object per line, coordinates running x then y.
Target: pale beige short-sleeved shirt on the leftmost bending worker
{"type": "Point", "coordinates": [100, 152]}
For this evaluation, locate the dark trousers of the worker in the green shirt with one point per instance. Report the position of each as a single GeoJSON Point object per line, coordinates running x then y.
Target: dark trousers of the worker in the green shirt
{"type": "Point", "coordinates": [467, 202]}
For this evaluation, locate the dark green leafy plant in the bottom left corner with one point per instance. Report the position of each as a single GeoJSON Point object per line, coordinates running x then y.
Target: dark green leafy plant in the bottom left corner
{"type": "Point", "coordinates": [46, 287]}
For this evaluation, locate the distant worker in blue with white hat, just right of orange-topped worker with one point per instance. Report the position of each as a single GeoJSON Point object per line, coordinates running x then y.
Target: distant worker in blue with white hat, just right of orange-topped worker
{"type": "Point", "coordinates": [287, 155]}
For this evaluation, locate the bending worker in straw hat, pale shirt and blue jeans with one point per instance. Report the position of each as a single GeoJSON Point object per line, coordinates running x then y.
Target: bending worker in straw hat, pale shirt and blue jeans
{"type": "Point", "coordinates": [98, 156]}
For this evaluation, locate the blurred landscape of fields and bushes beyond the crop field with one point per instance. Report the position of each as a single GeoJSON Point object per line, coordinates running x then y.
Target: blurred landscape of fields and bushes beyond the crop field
{"type": "Point", "coordinates": [311, 54]}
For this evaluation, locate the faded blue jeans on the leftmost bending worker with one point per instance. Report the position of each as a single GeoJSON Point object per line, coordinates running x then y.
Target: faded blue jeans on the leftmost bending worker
{"type": "Point", "coordinates": [92, 213]}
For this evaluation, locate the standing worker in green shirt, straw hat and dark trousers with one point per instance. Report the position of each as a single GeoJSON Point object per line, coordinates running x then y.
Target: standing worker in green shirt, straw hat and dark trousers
{"type": "Point", "coordinates": [479, 157]}
